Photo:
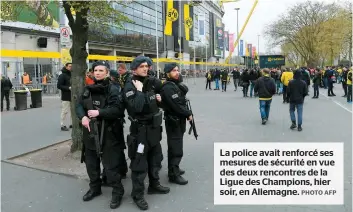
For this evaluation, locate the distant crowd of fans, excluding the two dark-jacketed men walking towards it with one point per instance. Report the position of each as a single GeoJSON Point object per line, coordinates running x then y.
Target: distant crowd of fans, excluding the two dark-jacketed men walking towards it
{"type": "Point", "coordinates": [317, 78]}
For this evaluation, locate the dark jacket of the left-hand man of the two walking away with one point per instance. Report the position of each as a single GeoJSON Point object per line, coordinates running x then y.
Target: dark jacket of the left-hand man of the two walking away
{"type": "Point", "coordinates": [265, 86]}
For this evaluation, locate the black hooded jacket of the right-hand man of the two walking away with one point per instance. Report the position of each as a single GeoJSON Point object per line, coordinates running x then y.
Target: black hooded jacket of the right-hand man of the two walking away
{"type": "Point", "coordinates": [297, 89]}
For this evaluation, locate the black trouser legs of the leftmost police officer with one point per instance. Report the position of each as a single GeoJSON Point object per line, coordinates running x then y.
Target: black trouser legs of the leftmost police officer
{"type": "Point", "coordinates": [111, 164]}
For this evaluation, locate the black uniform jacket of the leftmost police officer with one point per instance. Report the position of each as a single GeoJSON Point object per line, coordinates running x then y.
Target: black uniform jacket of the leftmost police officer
{"type": "Point", "coordinates": [106, 98]}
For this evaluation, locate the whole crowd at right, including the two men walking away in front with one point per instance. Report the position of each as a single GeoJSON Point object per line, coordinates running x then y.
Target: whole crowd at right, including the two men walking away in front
{"type": "Point", "coordinates": [294, 85]}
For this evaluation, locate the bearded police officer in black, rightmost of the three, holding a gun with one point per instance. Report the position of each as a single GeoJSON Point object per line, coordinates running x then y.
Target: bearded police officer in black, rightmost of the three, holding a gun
{"type": "Point", "coordinates": [175, 112]}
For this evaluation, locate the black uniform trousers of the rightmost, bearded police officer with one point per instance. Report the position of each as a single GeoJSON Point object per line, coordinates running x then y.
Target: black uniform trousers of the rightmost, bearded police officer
{"type": "Point", "coordinates": [175, 133]}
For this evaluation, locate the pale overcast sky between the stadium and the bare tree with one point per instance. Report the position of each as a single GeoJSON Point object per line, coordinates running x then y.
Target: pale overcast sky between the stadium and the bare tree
{"type": "Point", "coordinates": [266, 12]}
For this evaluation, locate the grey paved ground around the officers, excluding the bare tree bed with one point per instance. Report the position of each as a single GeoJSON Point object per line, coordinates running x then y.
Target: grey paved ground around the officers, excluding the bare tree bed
{"type": "Point", "coordinates": [220, 117]}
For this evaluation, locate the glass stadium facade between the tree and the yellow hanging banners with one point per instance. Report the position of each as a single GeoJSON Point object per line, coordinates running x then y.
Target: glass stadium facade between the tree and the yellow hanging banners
{"type": "Point", "coordinates": [140, 34]}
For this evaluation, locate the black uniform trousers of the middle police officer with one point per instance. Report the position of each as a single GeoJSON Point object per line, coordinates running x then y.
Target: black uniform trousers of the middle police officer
{"type": "Point", "coordinates": [149, 162]}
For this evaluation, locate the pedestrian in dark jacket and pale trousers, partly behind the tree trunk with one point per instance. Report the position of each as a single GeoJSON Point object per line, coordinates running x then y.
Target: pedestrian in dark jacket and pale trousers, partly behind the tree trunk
{"type": "Point", "coordinates": [64, 84]}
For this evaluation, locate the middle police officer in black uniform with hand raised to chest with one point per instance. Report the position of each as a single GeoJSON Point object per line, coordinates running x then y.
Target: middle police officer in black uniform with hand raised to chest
{"type": "Point", "coordinates": [144, 148]}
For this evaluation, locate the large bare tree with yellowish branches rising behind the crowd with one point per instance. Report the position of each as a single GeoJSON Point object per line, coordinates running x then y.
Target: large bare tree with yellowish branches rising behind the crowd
{"type": "Point", "coordinates": [300, 27]}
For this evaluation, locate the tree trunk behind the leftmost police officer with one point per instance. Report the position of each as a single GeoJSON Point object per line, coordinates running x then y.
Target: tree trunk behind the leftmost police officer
{"type": "Point", "coordinates": [79, 67]}
